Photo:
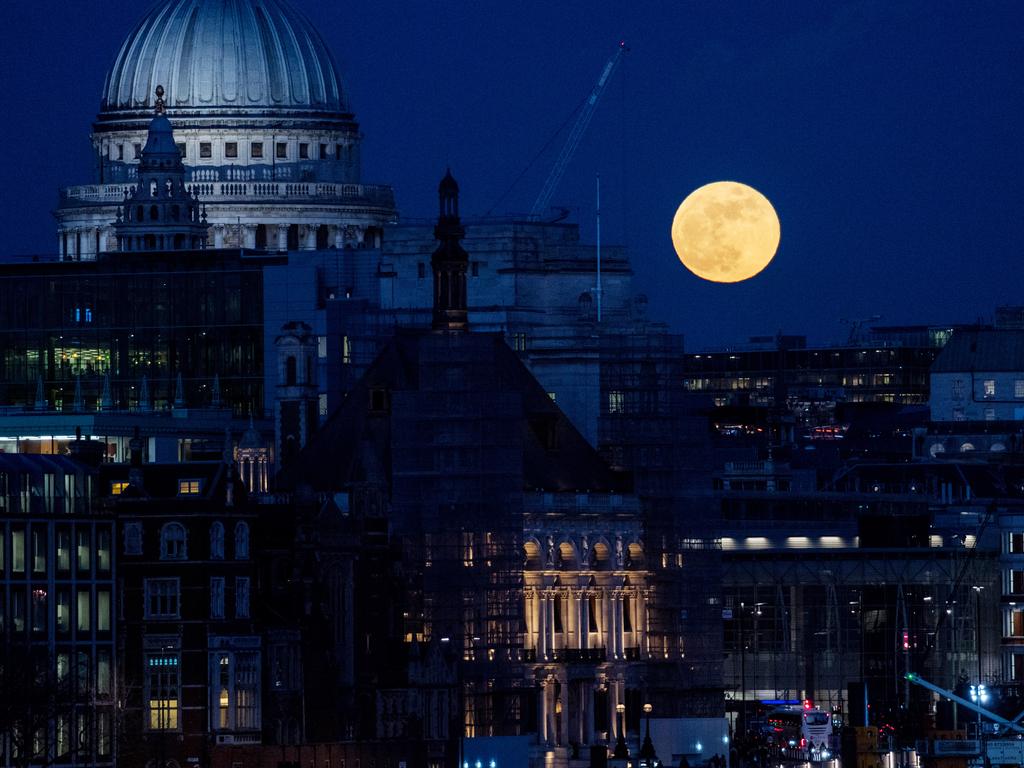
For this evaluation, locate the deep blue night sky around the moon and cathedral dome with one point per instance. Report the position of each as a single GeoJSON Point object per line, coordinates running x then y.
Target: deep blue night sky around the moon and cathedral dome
{"type": "Point", "coordinates": [887, 135]}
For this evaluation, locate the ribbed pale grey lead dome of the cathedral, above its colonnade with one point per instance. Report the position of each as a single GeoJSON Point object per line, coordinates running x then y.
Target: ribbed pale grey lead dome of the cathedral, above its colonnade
{"type": "Point", "coordinates": [222, 58]}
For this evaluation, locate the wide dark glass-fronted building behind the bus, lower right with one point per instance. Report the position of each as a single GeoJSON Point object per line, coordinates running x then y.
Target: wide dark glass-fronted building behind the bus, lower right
{"type": "Point", "coordinates": [825, 589]}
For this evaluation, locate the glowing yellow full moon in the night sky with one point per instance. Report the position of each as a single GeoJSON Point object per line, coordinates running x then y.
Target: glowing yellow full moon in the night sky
{"type": "Point", "coordinates": [726, 232]}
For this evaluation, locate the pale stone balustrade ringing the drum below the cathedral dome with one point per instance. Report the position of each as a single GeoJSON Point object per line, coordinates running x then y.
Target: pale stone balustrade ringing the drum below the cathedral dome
{"type": "Point", "coordinates": [216, 192]}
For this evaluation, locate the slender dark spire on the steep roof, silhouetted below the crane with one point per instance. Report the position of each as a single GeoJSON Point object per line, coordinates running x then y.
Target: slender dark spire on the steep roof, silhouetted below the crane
{"type": "Point", "coordinates": [450, 262]}
